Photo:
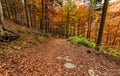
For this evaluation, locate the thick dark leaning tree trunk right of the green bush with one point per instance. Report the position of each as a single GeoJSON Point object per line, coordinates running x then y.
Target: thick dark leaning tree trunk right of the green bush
{"type": "Point", "coordinates": [101, 29]}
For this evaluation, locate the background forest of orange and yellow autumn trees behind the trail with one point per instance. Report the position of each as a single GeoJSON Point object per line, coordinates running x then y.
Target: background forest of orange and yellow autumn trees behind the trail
{"type": "Point", "coordinates": [64, 18]}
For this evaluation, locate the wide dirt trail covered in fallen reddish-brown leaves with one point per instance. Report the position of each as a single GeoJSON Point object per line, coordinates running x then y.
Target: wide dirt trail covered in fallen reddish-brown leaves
{"type": "Point", "coordinates": [48, 60]}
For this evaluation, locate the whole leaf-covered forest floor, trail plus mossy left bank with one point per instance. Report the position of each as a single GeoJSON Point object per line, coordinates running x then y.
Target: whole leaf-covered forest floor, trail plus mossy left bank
{"type": "Point", "coordinates": [27, 56]}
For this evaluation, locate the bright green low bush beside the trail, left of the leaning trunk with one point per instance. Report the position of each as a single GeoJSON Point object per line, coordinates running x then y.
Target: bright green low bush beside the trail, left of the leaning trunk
{"type": "Point", "coordinates": [81, 41]}
